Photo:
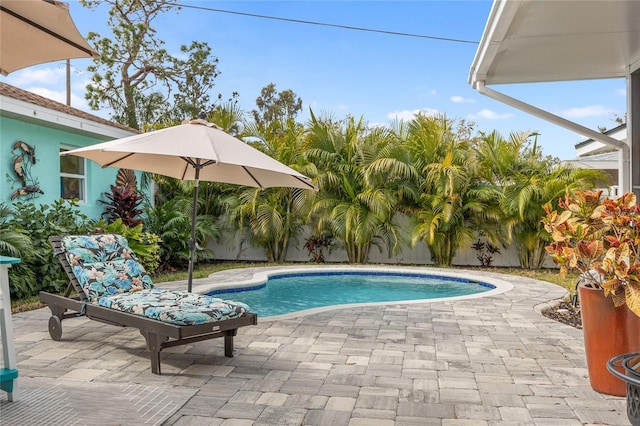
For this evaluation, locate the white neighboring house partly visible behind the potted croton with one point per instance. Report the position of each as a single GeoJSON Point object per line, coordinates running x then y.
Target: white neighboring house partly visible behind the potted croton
{"type": "Point", "coordinates": [594, 154]}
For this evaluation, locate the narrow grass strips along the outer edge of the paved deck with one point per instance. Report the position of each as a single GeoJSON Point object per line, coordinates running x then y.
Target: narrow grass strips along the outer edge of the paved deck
{"type": "Point", "coordinates": [202, 271]}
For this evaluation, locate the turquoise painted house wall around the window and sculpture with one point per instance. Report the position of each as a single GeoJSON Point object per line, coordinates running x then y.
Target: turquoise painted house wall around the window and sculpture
{"type": "Point", "coordinates": [47, 140]}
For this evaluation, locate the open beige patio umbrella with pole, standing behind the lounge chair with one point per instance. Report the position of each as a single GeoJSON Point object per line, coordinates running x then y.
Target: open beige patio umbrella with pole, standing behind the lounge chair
{"type": "Point", "coordinates": [195, 150]}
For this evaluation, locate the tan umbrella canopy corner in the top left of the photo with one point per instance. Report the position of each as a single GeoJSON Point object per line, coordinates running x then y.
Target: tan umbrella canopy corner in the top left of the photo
{"type": "Point", "coordinates": [38, 31]}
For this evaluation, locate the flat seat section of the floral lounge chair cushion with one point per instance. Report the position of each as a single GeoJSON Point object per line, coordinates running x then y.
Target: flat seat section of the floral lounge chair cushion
{"type": "Point", "coordinates": [175, 307]}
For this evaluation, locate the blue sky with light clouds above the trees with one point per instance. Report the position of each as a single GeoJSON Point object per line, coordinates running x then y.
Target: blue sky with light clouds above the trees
{"type": "Point", "coordinates": [338, 71]}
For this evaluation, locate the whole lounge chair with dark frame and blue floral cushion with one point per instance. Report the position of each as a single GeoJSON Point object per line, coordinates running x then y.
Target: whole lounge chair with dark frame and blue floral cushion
{"type": "Point", "coordinates": [108, 284]}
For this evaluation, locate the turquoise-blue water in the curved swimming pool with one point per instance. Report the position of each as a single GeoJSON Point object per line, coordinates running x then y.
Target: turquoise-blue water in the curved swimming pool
{"type": "Point", "coordinates": [293, 292]}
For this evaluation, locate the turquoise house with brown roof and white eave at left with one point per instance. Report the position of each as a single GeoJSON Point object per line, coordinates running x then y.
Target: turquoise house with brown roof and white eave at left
{"type": "Point", "coordinates": [33, 132]}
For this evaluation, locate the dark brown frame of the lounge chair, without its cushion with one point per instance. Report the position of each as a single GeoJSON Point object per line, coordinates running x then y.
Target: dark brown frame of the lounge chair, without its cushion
{"type": "Point", "coordinates": [158, 335]}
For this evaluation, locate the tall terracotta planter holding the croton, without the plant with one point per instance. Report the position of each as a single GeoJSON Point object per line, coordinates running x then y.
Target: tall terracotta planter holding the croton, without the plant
{"type": "Point", "coordinates": [608, 332]}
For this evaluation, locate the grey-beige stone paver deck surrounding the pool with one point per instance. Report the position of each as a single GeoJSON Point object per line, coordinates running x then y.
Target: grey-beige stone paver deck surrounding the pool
{"type": "Point", "coordinates": [479, 361]}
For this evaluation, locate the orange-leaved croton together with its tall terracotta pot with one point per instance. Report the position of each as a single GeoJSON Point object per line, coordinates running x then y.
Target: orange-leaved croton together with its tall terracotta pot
{"type": "Point", "coordinates": [600, 239]}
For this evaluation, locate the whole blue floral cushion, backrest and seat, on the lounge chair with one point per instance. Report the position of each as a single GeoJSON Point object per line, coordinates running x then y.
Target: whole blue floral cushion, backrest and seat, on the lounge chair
{"type": "Point", "coordinates": [112, 277]}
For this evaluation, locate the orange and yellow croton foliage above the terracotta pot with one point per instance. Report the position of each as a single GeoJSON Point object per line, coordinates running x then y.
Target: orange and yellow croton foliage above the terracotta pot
{"type": "Point", "coordinates": [600, 239]}
